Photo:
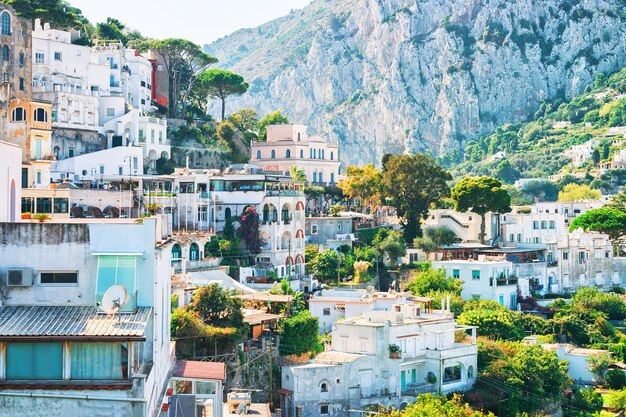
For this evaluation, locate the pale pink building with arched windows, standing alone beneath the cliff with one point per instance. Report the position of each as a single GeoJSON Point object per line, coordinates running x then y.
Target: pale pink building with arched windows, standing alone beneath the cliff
{"type": "Point", "coordinates": [289, 145]}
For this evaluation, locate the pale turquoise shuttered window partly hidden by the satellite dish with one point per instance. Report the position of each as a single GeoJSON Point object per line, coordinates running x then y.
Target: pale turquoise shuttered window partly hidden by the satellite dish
{"type": "Point", "coordinates": [117, 270]}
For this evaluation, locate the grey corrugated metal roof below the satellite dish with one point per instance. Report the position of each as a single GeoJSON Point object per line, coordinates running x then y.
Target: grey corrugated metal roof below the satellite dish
{"type": "Point", "coordinates": [70, 323]}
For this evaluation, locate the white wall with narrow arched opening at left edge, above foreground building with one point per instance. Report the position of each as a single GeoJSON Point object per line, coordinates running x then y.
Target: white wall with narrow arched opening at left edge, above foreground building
{"type": "Point", "coordinates": [10, 181]}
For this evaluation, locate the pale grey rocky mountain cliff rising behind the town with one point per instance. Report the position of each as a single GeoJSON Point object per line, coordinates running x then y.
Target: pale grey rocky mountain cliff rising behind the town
{"type": "Point", "coordinates": [422, 75]}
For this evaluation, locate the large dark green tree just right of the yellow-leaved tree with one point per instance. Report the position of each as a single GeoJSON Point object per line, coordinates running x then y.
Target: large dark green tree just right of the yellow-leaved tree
{"type": "Point", "coordinates": [414, 182]}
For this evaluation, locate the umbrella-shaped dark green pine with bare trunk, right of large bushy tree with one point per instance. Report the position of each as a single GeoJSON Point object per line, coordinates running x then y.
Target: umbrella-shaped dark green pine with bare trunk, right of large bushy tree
{"type": "Point", "coordinates": [481, 195]}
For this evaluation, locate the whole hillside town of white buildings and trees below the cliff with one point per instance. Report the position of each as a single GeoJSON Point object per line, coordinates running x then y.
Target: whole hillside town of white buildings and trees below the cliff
{"type": "Point", "coordinates": [161, 260]}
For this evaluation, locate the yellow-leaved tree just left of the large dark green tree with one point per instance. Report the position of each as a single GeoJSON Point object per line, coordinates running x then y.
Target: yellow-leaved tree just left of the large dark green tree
{"type": "Point", "coordinates": [362, 184]}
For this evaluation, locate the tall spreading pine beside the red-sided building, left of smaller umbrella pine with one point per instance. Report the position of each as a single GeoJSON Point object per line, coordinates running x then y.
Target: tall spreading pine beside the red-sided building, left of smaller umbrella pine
{"type": "Point", "coordinates": [184, 62]}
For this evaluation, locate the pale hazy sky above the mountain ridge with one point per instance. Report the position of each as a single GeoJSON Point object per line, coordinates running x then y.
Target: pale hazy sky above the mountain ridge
{"type": "Point", "coordinates": [201, 21]}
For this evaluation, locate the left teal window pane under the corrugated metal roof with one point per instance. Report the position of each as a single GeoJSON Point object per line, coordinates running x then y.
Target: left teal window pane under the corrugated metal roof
{"type": "Point", "coordinates": [34, 361]}
